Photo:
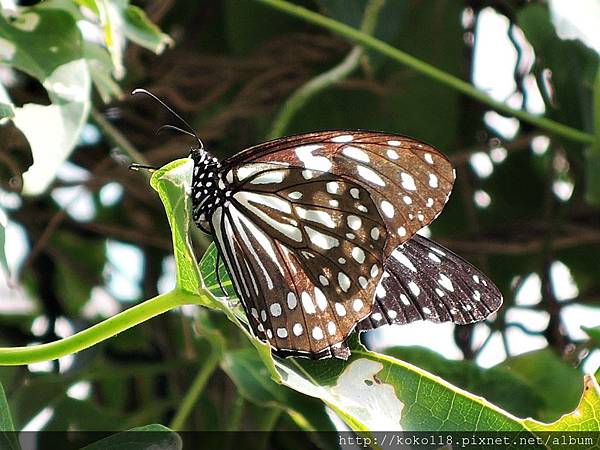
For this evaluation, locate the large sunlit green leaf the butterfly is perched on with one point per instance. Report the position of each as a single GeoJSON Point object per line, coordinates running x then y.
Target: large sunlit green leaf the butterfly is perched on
{"type": "Point", "coordinates": [369, 391]}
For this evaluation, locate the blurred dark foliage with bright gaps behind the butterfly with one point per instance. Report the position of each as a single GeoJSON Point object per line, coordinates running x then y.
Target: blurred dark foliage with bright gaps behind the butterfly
{"type": "Point", "coordinates": [85, 237]}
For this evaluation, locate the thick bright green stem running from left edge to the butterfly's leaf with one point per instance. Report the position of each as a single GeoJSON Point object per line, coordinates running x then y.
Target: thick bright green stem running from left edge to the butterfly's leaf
{"type": "Point", "coordinates": [16, 356]}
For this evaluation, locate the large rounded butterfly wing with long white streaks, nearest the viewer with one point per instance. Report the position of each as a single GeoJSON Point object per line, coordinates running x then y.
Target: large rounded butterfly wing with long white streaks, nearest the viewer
{"type": "Point", "coordinates": [308, 250]}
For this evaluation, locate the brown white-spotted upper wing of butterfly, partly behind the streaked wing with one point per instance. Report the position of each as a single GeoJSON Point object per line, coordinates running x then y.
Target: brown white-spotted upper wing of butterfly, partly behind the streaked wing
{"type": "Point", "coordinates": [408, 181]}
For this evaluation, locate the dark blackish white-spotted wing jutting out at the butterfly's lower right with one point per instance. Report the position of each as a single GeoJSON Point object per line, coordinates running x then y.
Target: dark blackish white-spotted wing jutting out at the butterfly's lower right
{"type": "Point", "coordinates": [424, 281]}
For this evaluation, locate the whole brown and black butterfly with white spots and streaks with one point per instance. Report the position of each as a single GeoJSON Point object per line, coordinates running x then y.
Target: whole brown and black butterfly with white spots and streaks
{"type": "Point", "coordinates": [318, 234]}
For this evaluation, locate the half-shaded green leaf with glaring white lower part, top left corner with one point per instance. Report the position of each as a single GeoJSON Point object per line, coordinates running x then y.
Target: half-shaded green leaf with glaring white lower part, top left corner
{"type": "Point", "coordinates": [46, 43]}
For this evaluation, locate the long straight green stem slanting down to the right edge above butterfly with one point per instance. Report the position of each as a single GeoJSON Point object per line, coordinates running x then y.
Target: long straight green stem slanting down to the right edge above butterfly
{"type": "Point", "coordinates": [428, 70]}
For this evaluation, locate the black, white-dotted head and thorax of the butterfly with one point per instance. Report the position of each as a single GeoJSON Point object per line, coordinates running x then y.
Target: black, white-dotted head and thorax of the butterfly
{"type": "Point", "coordinates": [208, 188]}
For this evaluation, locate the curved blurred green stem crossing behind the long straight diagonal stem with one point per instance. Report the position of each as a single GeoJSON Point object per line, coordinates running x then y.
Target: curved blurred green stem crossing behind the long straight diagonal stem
{"type": "Point", "coordinates": [307, 91]}
